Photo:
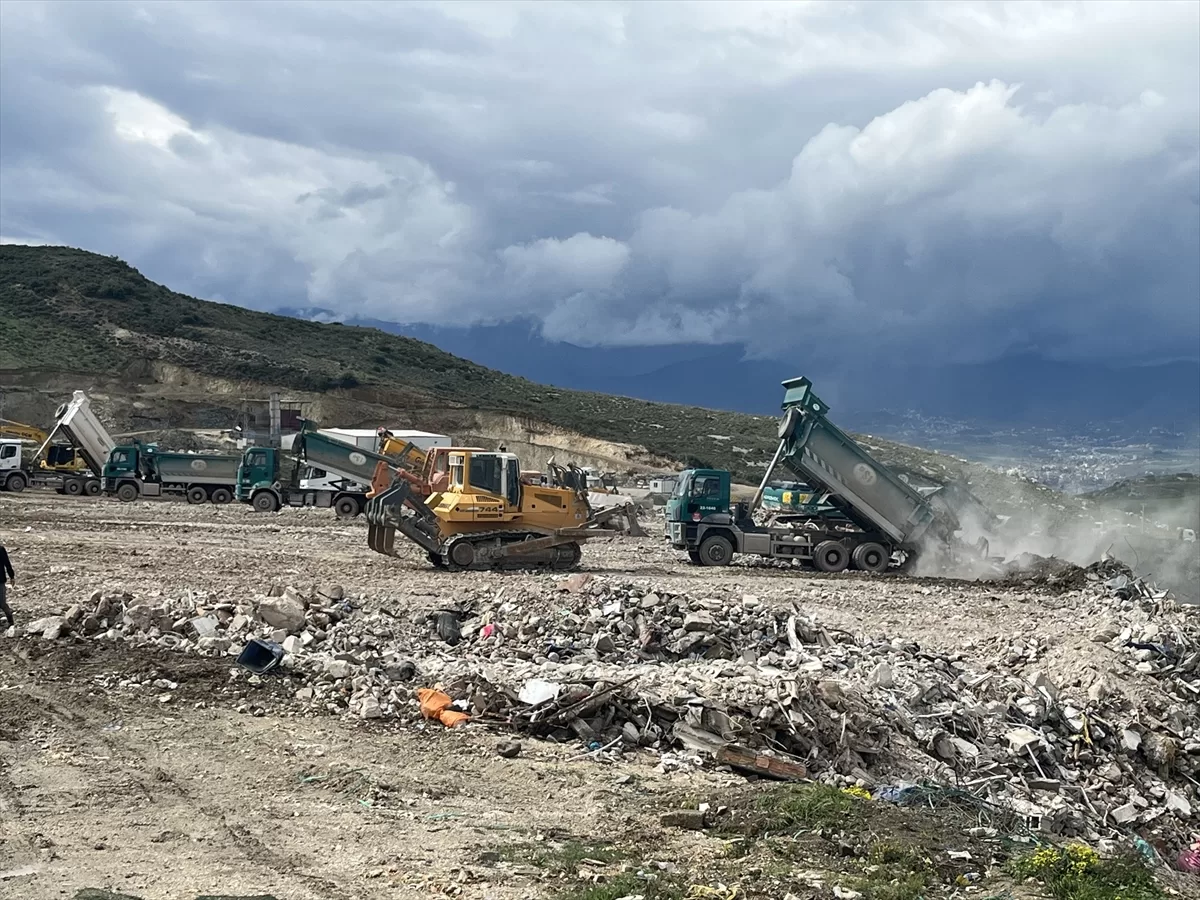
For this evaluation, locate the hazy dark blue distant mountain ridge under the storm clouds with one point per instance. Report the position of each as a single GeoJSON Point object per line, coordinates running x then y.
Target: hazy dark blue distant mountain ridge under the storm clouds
{"type": "Point", "coordinates": [1010, 393]}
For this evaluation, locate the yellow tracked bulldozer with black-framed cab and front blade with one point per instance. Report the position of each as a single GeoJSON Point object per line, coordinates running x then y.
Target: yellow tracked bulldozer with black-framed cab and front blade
{"type": "Point", "coordinates": [484, 515]}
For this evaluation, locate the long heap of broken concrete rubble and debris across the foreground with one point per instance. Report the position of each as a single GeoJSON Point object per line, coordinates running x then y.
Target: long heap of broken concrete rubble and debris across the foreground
{"type": "Point", "coordinates": [743, 682]}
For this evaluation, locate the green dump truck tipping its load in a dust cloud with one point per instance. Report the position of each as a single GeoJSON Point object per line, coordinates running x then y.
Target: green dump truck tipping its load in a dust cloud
{"type": "Point", "coordinates": [880, 520]}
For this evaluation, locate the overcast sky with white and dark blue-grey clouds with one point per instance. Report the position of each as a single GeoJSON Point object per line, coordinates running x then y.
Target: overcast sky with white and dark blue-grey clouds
{"type": "Point", "coordinates": [957, 181]}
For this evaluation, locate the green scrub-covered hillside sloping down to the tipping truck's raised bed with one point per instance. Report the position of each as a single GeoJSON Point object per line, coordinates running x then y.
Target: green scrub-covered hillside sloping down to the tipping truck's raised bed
{"type": "Point", "coordinates": [70, 310]}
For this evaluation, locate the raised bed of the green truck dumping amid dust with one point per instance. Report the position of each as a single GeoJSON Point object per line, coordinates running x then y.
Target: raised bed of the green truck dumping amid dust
{"type": "Point", "coordinates": [820, 453]}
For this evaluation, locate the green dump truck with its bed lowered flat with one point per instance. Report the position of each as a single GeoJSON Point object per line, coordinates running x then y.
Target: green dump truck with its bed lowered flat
{"type": "Point", "coordinates": [143, 471]}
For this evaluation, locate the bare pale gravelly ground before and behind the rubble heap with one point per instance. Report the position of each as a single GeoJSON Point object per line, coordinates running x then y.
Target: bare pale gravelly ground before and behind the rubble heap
{"type": "Point", "coordinates": [105, 787]}
